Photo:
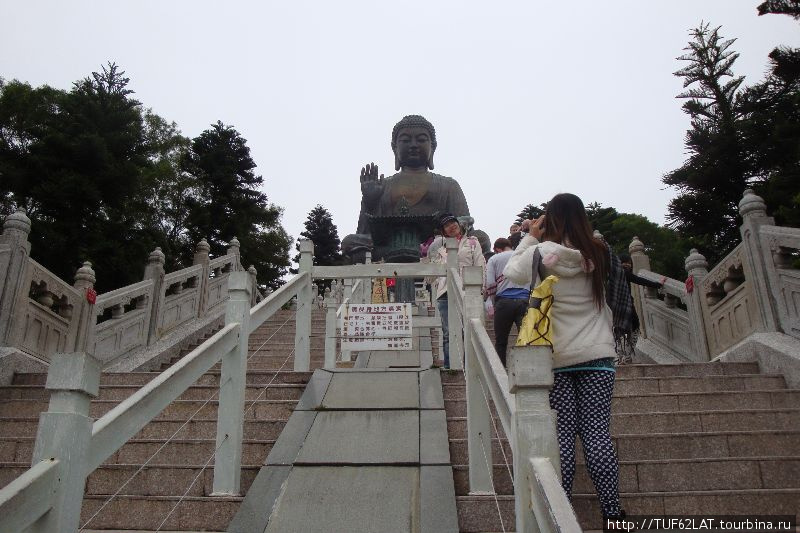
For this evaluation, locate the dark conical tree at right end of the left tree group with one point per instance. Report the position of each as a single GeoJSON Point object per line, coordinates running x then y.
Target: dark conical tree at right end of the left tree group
{"type": "Point", "coordinates": [228, 202]}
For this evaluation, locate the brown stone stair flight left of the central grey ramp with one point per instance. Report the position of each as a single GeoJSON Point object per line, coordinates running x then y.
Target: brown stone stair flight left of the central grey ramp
{"type": "Point", "coordinates": [168, 470]}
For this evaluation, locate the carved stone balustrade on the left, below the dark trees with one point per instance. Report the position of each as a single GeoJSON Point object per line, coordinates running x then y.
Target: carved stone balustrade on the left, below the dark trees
{"type": "Point", "coordinates": [41, 315]}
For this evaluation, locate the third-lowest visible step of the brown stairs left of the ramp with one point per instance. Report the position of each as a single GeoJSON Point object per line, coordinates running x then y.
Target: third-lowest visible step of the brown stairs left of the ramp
{"type": "Point", "coordinates": [139, 451]}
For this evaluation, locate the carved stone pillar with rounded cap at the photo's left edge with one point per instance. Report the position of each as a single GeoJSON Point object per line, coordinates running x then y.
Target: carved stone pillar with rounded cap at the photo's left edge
{"type": "Point", "coordinates": [14, 252]}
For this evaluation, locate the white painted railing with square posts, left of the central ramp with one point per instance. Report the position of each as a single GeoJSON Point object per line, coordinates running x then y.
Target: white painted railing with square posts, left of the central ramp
{"type": "Point", "coordinates": [70, 445]}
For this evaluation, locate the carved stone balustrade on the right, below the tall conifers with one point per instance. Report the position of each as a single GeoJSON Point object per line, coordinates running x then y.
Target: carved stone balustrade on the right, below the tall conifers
{"type": "Point", "coordinates": [755, 289]}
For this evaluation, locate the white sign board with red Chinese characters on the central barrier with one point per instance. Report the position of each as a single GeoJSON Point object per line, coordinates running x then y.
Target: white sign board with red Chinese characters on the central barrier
{"type": "Point", "coordinates": [376, 327]}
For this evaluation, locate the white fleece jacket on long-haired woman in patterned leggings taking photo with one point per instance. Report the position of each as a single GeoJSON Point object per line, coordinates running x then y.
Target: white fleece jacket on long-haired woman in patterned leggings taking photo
{"type": "Point", "coordinates": [581, 332]}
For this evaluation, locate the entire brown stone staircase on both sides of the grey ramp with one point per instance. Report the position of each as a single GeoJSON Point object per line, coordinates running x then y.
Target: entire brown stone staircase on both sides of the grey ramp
{"type": "Point", "coordinates": [694, 438]}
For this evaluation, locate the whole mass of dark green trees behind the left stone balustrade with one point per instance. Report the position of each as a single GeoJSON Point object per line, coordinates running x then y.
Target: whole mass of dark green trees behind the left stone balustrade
{"type": "Point", "coordinates": [105, 180]}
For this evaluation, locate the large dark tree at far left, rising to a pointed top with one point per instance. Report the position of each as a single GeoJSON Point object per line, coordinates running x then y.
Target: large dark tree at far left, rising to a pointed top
{"type": "Point", "coordinates": [73, 160]}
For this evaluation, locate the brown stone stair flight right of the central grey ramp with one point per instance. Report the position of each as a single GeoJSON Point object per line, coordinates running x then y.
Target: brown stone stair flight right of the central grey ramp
{"type": "Point", "coordinates": [713, 439]}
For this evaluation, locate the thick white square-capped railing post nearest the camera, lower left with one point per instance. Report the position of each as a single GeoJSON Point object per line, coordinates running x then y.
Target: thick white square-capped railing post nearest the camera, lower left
{"type": "Point", "coordinates": [65, 433]}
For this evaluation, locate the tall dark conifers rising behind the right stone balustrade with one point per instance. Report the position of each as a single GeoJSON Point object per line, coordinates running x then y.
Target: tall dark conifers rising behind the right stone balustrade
{"type": "Point", "coordinates": [740, 137]}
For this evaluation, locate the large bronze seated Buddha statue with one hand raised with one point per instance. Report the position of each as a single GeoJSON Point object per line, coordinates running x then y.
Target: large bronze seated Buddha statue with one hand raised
{"type": "Point", "coordinates": [397, 213]}
